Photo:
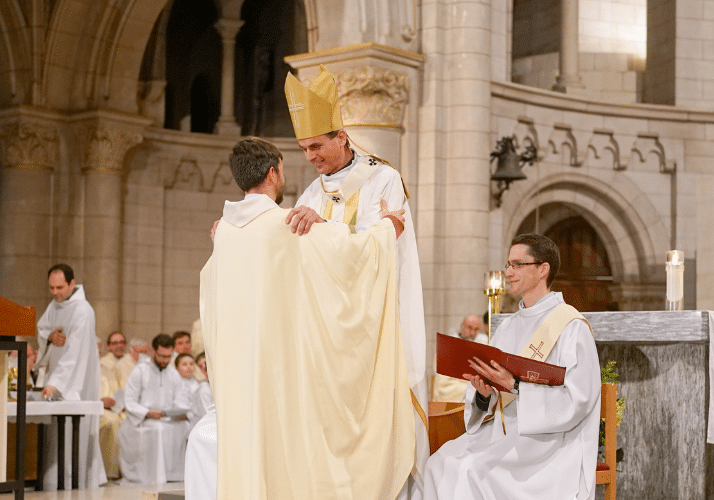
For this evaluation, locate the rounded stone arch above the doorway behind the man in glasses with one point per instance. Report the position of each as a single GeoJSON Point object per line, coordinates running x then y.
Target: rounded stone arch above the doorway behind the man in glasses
{"type": "Point", "coordinates": [634, 236]}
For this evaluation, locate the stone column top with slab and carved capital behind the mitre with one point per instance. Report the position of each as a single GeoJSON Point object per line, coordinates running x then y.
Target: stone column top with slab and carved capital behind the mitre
{"type": "Point", "coordinates": [375, 86]}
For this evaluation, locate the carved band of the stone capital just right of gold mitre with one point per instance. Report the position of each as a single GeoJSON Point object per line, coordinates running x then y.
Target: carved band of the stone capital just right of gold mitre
{"type": "Point", "coordinates": [372, 96]}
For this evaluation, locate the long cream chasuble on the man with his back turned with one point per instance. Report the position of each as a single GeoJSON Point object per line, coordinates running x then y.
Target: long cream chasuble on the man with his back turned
{"type": "Point", "coordinates": [305, 359]}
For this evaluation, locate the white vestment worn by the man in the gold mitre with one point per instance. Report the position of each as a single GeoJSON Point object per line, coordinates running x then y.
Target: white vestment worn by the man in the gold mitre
{"type": "Point", "coordinates": [386, 183]}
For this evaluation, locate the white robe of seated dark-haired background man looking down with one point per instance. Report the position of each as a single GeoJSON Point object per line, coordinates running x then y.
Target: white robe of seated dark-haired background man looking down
{"type": "Point", "coordinates": [152, 451]}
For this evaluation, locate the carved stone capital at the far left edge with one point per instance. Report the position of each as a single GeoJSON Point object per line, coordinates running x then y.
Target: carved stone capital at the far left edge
{"type": "Point", "coordinates": [28, 145]}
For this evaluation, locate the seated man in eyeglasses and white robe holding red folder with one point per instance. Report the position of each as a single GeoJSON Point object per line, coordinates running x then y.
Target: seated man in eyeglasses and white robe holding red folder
{"type": "Point", "coordinates": [536, 441]}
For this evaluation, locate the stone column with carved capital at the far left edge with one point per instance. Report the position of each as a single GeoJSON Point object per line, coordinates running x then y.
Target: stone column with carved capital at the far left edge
{"type": "Point", "coordinates": [29, 147]}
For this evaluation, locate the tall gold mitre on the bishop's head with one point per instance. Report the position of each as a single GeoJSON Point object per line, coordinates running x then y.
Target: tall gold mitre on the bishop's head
{"type": "Point", "coordinates": [315, 110]}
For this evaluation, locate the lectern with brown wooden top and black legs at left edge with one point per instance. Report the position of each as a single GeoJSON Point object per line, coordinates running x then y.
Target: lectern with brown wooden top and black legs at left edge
{"type": "Point", "coordinates": [15, 321]}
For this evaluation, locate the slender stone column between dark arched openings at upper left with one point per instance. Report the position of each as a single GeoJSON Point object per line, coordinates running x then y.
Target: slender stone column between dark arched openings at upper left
{"type": "Point", "coordinates": [228, 29]}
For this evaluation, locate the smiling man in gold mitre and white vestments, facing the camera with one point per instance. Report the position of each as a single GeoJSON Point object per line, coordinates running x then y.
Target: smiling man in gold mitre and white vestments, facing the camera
{"type": "Point", "coordinates": [349, 189]}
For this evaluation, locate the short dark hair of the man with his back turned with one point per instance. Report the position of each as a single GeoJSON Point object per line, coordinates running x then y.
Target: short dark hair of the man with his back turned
{"type": "Point", "coordinates": [251, 160]}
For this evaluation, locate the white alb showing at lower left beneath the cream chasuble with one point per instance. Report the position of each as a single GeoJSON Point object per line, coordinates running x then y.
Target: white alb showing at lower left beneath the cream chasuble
{"type": "Point", "coordinates": [201, 458]}
